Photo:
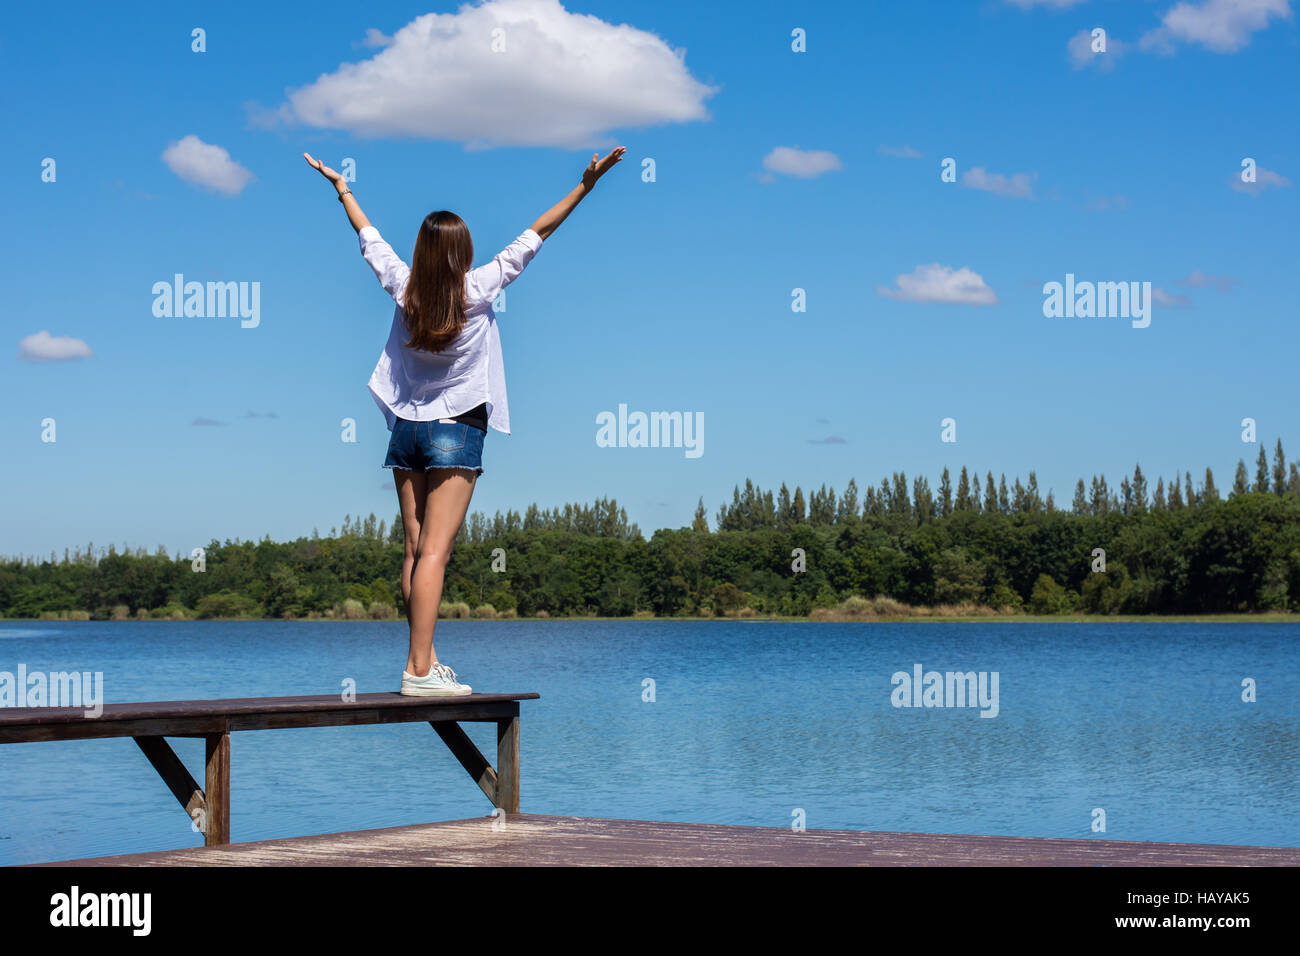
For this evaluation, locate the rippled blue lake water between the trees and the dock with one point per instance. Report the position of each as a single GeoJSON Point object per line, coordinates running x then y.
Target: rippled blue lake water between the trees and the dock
{"type": "Point", "coordinates": [752, 721]}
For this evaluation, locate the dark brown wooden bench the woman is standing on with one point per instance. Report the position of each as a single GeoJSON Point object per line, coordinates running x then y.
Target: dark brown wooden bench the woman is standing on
{"type": "Point", "coordinates": [216, 720]}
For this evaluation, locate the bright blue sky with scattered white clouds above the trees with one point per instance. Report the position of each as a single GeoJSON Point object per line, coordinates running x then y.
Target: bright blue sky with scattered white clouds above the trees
{"type": "Point", "coordinates": [666, 296]}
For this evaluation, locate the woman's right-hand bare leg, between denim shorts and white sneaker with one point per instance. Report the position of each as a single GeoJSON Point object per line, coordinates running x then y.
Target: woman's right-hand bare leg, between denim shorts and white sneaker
{"type": "Point", "coordinates": [447, 503]}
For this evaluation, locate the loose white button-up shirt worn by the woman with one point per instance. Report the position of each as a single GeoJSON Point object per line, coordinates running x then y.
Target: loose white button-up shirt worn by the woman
{"type": "Point", "coordinates": [422, 386]}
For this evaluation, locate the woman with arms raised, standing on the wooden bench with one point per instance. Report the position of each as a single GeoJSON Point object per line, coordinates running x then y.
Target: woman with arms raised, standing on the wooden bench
{"type": "Point", "coordinates": [440, 384]}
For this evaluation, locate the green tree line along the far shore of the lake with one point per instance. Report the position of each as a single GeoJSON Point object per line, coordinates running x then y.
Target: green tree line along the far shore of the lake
{"type": "Point", "coordinates": [1178, 548]}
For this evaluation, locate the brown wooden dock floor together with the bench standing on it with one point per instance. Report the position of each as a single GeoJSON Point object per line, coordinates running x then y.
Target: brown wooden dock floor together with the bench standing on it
{"type": "Point", "coordinates": [510, 838]}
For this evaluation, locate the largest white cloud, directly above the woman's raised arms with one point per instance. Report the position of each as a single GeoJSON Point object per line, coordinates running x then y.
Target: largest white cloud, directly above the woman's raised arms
{"type": "Point", "coordinates": [562, 80]}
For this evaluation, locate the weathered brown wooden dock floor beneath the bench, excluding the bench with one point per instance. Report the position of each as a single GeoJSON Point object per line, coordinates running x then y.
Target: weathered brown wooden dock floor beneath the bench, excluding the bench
{"type": "Point", "coordinates": [541, 841]}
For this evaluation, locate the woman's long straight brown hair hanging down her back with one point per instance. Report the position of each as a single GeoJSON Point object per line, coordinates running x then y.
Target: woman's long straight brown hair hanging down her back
{"type": "Point", "coordinates": [436, 292]}
